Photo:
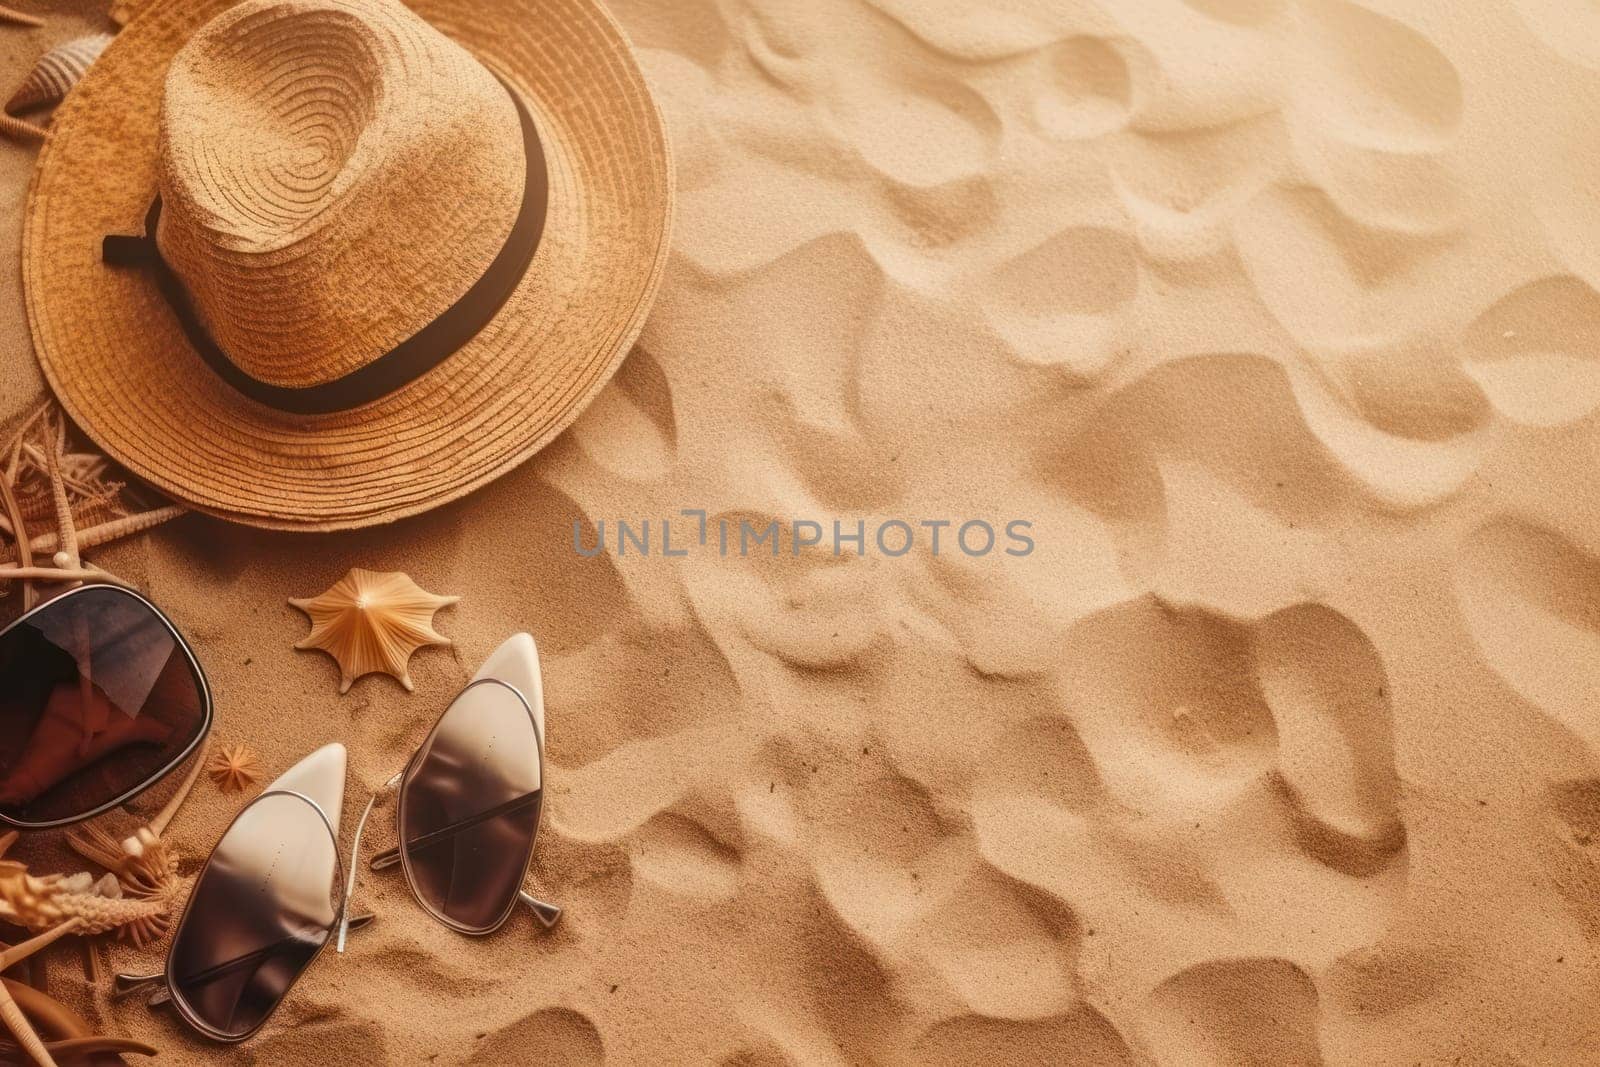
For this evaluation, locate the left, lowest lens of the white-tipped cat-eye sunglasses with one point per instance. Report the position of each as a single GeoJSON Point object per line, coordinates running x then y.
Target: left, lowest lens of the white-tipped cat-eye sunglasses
{"type": "Point", "coordinates": [260, 914]}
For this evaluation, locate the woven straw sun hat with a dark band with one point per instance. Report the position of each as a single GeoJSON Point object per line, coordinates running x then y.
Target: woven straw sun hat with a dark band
{"type": "Point", "coordinates": [362, 258]}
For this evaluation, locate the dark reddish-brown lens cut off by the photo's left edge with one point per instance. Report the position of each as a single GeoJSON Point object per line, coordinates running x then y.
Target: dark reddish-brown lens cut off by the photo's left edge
{"type": "Point", "coordinates": [98, 698]}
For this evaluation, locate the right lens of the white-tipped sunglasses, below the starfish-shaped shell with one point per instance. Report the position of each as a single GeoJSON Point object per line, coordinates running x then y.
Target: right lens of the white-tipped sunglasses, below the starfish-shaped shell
{"type": "Point", "coordinates": [470, 809]}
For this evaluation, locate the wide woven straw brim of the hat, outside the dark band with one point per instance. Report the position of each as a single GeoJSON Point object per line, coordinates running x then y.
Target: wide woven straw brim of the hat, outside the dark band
{"type": "Point", "coordinates": [121, 366]}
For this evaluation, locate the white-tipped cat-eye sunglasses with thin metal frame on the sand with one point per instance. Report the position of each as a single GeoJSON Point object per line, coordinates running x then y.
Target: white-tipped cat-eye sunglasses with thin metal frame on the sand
{"type": "Point", "coordinates": [274, 892]}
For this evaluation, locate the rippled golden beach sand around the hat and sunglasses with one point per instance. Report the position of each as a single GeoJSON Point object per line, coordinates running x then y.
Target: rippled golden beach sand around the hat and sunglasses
{"type": "Point", "coordinates": [1278, 321]}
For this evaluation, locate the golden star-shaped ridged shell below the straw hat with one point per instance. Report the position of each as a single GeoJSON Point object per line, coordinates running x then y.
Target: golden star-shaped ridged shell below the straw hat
{"type": "Point", "coordinates": [372, 621]}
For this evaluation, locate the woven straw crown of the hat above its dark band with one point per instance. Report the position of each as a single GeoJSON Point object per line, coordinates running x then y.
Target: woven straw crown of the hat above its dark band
{"type": "Point", "coordinates": [334, 175]}
